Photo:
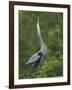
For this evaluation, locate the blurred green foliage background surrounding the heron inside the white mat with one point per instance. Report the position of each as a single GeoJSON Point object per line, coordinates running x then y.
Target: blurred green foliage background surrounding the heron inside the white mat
{"type": "Point", "coordinates": [51, 25]}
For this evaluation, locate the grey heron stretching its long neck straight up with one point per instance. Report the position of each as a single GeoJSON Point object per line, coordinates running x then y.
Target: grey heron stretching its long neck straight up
{"type": "Point", "coordinates": [37, 58]}
